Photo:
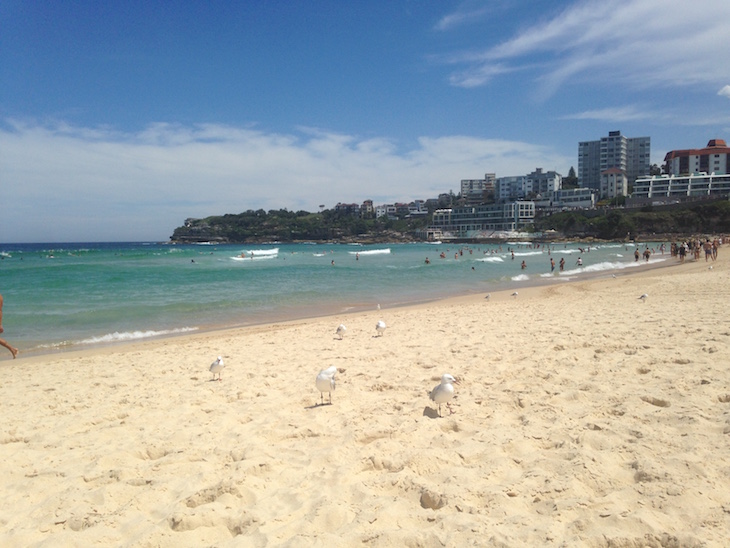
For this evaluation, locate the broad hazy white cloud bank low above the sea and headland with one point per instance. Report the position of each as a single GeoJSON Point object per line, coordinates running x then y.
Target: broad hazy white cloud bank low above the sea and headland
{"type": "Point", "coordinates": [74, 183]}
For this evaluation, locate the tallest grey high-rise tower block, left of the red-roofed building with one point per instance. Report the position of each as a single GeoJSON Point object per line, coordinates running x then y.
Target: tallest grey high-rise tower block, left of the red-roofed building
{"type": "Point", "coordinates": [632, 155]}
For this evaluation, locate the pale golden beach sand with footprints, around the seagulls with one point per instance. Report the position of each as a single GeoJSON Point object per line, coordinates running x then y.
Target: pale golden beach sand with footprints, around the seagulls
{"type": "Point", "coordinates": [583, 417]}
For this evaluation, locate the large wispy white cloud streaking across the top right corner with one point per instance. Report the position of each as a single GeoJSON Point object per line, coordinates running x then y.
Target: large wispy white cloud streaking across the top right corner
{"type": "Point", "coordinates": [640, 43]}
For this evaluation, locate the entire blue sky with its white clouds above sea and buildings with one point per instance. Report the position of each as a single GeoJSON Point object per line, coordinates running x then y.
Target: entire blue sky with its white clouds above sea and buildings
{"type": "Point", "coordinates": [118, 120]}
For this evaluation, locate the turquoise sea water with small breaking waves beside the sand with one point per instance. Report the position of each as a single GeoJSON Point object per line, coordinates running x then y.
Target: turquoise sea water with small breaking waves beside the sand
{"type": "Point", "coordinates": [60, 296]}
